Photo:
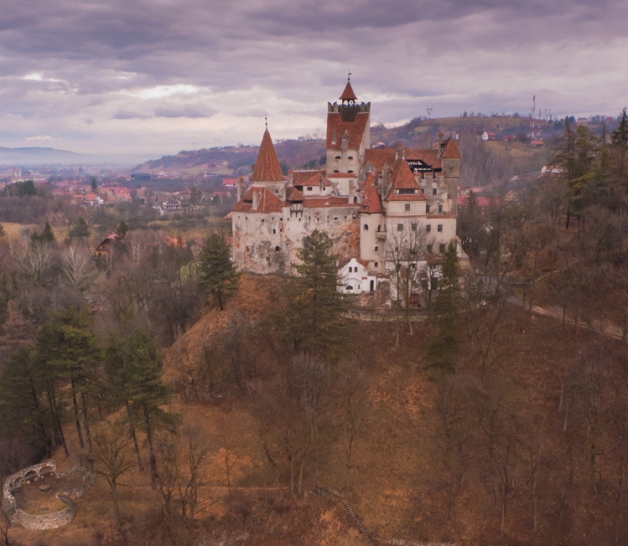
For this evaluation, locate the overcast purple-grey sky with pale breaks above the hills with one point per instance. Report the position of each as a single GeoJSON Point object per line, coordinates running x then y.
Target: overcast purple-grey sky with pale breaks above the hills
{"type": "Point", "coordinates": [158, 76]}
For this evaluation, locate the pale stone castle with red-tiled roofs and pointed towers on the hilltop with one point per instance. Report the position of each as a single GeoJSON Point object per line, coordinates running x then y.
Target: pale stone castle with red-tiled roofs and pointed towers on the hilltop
{"type": "Point", "coordinates": [384, 208]}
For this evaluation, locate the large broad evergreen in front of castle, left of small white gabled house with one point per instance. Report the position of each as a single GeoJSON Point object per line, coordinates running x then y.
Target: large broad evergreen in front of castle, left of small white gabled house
{"type": "Point", "coordinates": [315, 306]}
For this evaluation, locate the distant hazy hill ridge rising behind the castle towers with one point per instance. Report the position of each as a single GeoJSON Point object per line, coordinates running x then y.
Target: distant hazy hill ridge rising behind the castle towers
{"type": "Point", "coordinates": [485, 162]}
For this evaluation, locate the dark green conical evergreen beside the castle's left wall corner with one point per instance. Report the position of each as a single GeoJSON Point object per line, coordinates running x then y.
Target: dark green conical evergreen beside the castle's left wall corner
{"type": "Point", "coordinates": [219, 276]}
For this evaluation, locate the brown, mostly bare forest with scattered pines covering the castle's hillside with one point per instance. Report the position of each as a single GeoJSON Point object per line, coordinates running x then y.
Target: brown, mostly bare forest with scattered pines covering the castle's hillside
{"type": "Point", "coordinates": [224, 408]}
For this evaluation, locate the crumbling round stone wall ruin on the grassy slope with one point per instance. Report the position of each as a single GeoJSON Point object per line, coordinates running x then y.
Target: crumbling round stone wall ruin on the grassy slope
{"type": "Point", "coordinates": [34, 473]}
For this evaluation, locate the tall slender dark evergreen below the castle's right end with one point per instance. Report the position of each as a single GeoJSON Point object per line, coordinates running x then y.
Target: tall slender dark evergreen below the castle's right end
{"type": "Point", "coordinates": [442, 351]}
